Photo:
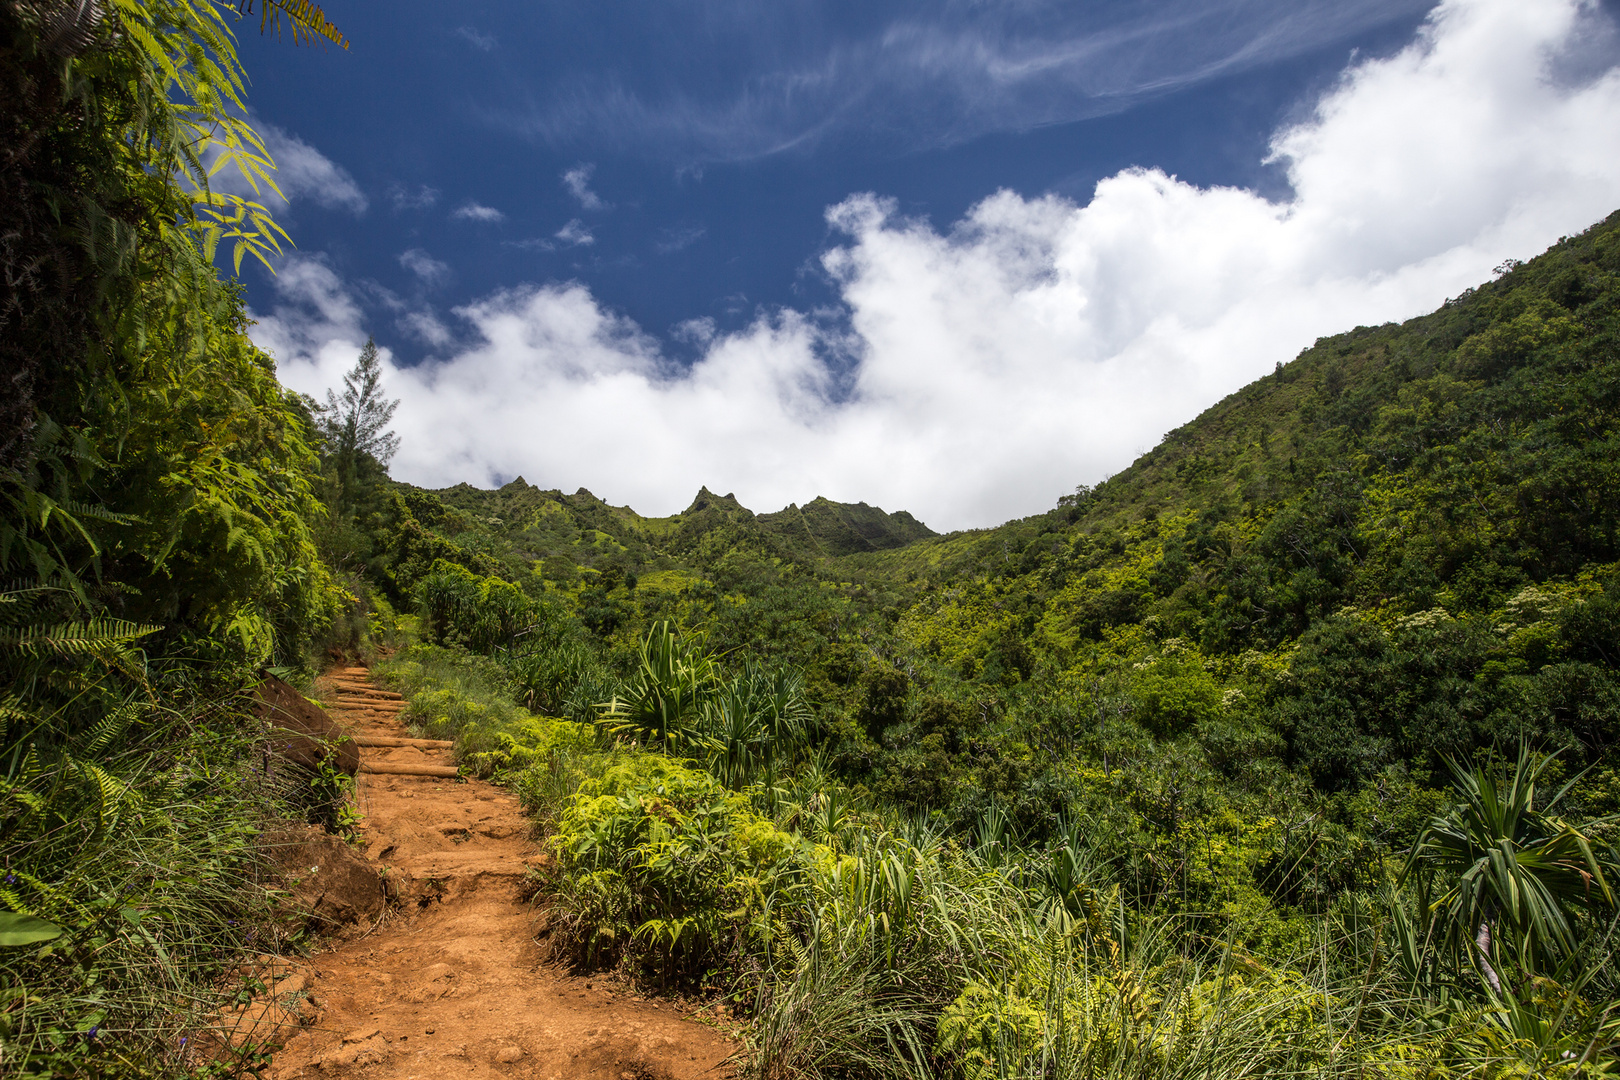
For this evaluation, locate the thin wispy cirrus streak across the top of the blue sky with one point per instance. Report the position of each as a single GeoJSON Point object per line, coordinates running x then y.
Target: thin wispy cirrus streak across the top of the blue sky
{"type": "Point", "coordinates": [934, 75]}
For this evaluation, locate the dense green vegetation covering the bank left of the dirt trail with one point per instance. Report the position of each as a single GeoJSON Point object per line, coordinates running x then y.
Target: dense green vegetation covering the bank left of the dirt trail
{"type": "Point", "coordinates": [160, 512]}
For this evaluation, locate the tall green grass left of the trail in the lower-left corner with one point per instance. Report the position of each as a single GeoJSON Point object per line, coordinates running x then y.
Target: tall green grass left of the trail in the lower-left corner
{"type": "Point", "coordinates": [142, 853]}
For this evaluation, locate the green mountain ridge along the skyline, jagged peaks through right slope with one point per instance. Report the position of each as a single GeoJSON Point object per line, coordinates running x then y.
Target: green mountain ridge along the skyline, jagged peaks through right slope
{"type": "Point", "coordinates": [1456, 472]}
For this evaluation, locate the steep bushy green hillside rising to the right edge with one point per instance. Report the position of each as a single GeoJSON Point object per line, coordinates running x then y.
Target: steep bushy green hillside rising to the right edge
{"type": "Point", "coordinates": [1400, 546]}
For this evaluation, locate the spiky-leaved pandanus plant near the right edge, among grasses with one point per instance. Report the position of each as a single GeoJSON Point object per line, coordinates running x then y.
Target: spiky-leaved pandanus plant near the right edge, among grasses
{"type": "Point", "coordinates": [1506, 878]}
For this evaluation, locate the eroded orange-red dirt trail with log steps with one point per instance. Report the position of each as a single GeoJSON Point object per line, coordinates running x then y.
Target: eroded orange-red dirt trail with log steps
{"type": "Point", "coordinates": [453, 984]}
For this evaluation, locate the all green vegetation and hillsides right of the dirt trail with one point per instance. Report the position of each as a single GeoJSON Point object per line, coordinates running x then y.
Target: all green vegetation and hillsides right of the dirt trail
{"type": "Point", "coordinates": [1292, 749]}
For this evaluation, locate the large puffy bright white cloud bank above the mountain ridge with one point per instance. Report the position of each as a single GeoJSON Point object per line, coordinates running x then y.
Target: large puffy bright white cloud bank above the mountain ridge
{"type": "Point", "coordinates": [1036, 344]}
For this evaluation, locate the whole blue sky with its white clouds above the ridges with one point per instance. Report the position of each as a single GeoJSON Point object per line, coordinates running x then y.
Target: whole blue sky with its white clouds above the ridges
{"type": "Point", "coordinates": [916, 255]}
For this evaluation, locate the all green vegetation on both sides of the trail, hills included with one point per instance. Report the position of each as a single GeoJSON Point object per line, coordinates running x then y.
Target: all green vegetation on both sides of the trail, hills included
{"type": "Point", "coordinates": [1292, 749]}
